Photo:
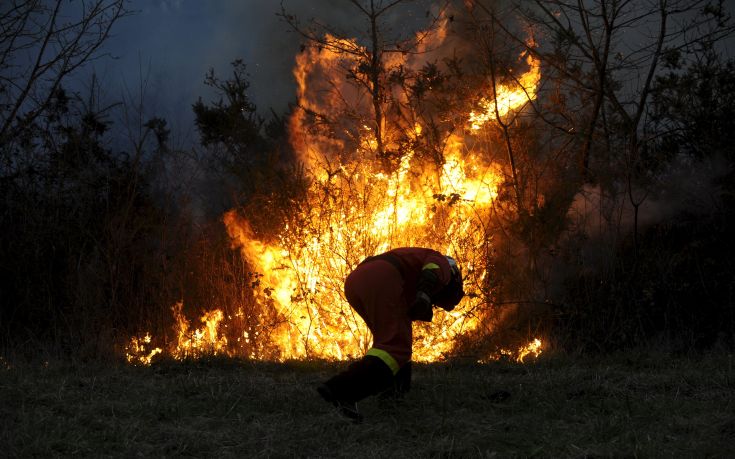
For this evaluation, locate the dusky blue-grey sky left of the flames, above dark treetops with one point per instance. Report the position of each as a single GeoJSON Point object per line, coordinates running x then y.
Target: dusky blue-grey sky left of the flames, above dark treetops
{"type": "Point", "coordinates": [172, 44]}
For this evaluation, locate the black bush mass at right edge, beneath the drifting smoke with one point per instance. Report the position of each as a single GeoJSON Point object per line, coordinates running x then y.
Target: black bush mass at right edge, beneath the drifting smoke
{"type": "Point", "coordinates": [677, 288]}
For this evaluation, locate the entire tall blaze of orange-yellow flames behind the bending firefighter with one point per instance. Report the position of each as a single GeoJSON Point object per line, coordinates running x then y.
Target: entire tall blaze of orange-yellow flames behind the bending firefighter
{"type": "Point", "coordinates": [386, 131]}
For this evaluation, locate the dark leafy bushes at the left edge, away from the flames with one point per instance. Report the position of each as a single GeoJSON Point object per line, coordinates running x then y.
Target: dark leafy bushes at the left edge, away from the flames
{"type": "Point", "coordinates": [80, 225]}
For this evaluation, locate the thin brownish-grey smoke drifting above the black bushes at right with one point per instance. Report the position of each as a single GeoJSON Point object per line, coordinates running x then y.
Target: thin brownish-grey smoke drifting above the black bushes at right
{"type": "Point", "coordinates": [601, 221]}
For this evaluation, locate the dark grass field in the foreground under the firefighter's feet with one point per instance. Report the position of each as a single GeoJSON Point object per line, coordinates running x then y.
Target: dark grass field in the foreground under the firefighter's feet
{"type": "Point", "coordinates": [627, 405]}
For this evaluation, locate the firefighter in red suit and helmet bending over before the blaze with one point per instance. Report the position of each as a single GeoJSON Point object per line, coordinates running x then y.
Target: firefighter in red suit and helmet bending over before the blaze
{"type": "Point", "coordinates": [389, 291]}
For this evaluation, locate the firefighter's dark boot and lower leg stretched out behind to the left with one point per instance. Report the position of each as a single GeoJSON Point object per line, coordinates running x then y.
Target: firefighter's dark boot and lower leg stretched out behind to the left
{"type": "Point", "coordinates": [368, 376]}
